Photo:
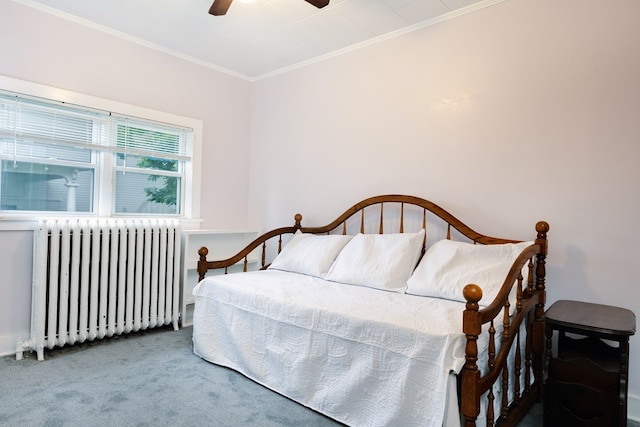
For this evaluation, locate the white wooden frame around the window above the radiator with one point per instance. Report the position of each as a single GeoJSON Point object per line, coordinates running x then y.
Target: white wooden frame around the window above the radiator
{"type": "Point", "coordinates": [104, 183]}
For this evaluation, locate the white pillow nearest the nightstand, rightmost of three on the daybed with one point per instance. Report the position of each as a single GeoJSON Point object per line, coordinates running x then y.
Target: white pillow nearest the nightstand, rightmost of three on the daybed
{"type": "Point", "coordinates": [448, 266]}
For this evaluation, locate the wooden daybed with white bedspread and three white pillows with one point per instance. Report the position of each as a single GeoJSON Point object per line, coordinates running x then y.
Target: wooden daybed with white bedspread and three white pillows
{"type": "Point", "coordinates": [395, 313]}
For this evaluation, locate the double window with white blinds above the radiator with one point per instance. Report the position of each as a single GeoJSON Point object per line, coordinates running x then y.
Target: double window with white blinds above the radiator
{"type": "Point", "coordinates": [55, 157]}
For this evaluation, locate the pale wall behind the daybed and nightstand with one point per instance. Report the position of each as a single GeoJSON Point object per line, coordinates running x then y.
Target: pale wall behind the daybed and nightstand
{"type": "Point", "coordinates": [525, 110]}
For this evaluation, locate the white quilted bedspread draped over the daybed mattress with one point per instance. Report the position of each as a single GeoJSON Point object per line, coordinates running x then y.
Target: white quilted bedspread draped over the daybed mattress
{"type": "Point", "coordinates": [362, 356]}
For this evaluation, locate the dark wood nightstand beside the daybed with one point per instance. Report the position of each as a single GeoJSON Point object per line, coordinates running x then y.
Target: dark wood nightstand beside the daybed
{"type": "Point", "coordinates": [587, 375]}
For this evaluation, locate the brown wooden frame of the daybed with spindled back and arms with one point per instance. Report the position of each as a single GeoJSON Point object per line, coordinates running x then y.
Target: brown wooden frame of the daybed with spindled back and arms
{"type": "Point", "coordinates": [519, 383]}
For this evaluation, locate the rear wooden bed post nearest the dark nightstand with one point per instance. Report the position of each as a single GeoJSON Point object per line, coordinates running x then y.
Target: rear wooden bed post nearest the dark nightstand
{"type": "Point", "coordinates": [542, 228]}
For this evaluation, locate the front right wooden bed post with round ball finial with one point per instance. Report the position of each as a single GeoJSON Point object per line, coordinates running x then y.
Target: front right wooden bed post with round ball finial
{"type": "Point", "coordinates": [471, 326]}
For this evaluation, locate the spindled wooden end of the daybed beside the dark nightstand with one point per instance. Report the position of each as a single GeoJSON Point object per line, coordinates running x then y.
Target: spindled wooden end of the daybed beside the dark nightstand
{"type": "Point", "coordinates": [527, 319]}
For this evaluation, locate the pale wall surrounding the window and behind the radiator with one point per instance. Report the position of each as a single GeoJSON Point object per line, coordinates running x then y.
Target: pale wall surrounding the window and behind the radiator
{"type": "Point", "coordinates": [44, 49]}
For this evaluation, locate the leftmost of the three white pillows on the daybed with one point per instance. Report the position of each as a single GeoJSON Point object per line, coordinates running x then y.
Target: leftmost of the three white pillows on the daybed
{"type": "Point", "coordinates": [310, 254]}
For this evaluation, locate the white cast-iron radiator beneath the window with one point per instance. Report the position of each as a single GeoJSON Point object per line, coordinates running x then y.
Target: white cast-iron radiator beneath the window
{"type": "Point", "coordinates": [96, 278]}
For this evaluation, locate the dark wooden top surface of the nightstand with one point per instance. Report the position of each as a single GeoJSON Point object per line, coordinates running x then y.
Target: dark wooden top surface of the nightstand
{"type": "Point", "coordinates": [603, 319]}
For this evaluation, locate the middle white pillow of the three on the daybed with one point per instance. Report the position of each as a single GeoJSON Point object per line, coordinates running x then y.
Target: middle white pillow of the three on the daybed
{"type": "Point", "coordinates": [381, 261]}
